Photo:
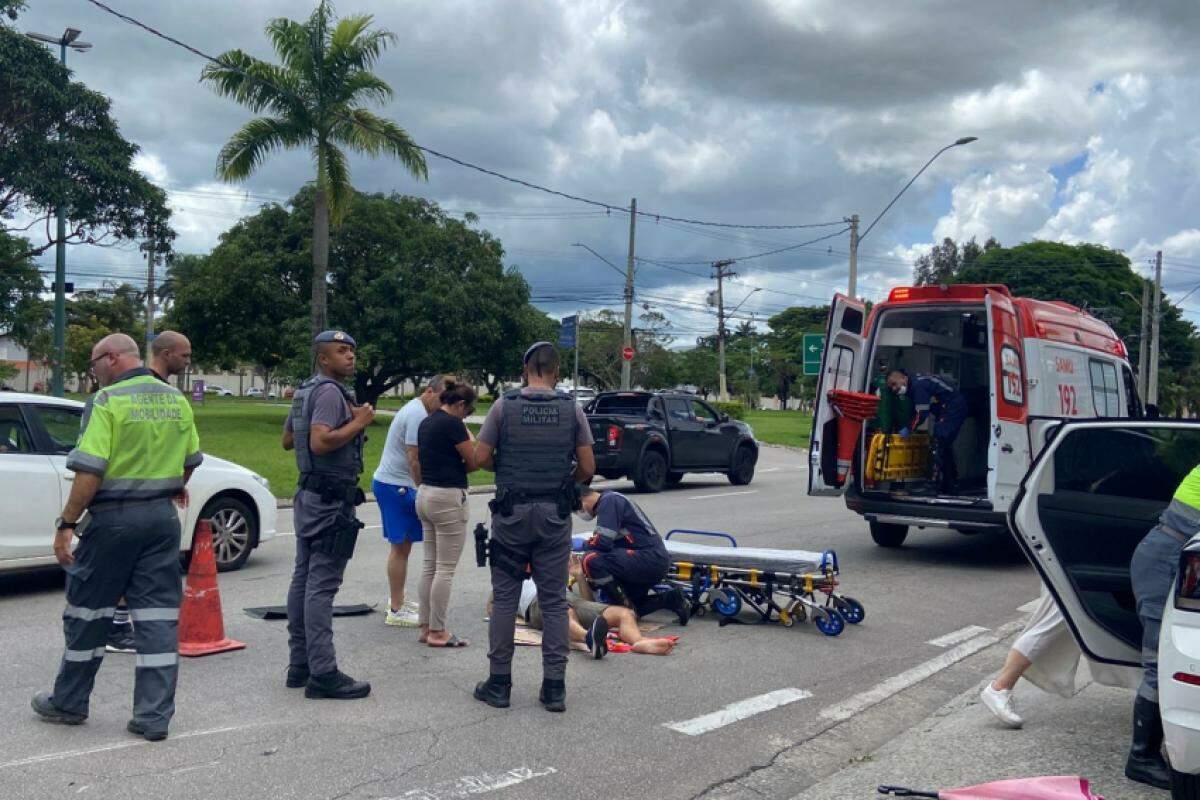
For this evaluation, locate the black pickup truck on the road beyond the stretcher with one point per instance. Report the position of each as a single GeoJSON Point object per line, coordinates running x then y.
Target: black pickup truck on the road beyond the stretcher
{"type": "Point", "coordinates": [657, 437]}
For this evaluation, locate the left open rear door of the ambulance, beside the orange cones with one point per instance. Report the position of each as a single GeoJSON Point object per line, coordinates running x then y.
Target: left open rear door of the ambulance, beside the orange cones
{"type": "Point", "coordinates": [842, 368]}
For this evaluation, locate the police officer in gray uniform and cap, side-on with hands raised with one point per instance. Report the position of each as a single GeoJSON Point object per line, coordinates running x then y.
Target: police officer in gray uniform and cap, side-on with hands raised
{"type": "Point", "coordinates": [326, 429]}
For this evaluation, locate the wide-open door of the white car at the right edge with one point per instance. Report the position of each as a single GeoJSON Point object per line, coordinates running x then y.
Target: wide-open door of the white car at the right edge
{"type": "Point", "coordinates": [1093, 495]}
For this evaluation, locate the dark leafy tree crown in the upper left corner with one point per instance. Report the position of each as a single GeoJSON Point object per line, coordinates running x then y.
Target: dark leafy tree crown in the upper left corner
{"type": "Point", "coordinates": [61, 148]}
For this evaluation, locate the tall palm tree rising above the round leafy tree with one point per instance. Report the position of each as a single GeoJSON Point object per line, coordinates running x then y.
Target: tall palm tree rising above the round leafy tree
{"type": "Point", "coordinates": [314, 100]}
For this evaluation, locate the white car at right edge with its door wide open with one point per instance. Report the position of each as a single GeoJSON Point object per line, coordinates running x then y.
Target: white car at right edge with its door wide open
{"type": "Point", "coordinates": [1087, 503]}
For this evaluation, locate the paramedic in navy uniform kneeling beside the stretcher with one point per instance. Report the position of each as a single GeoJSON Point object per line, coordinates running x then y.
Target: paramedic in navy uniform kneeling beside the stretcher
{"type": "Point", "coordinates": [627, 555]}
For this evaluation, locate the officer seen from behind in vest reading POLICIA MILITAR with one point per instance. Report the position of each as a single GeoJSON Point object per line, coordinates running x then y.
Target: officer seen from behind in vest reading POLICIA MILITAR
{"type": "Point", "coordinates": [539, 444]}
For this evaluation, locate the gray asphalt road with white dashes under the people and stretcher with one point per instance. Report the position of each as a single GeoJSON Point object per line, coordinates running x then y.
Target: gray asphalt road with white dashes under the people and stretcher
{"type": "Point", "coordinates": [239, 733]}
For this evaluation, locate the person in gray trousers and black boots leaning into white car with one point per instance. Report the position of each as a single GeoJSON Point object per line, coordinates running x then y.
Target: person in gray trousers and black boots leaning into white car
{"type": "Point", "coordinates": [1153, 573]}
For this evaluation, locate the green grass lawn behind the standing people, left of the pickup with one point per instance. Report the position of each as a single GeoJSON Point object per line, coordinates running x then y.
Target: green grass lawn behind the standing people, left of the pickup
{"type": "Point", "coordinates": [249, 432]}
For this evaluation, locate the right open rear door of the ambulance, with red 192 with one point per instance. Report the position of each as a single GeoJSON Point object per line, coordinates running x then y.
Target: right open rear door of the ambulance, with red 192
{"type": "Point", "coordinates": [1009, 442]}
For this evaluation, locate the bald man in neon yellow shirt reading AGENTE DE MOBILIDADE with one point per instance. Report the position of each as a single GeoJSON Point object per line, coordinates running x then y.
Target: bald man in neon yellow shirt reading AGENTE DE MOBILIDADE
{"type": "Point", "coordinates": [136, 452]}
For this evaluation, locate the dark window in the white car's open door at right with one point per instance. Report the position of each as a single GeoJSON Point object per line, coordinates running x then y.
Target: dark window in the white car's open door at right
{"type": "Point", "coordinates": [1139, 464]}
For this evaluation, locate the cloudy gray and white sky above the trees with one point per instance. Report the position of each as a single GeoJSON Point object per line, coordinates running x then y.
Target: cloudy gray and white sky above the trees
{"type": "Point", "coordinates": [759, 112]}
